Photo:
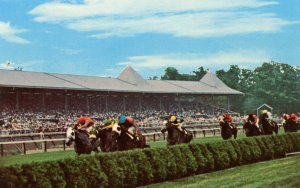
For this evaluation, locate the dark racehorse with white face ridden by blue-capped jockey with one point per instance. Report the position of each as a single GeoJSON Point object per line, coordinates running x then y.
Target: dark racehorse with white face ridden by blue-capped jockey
{"type": "Point", "coordinates": [126, 141]}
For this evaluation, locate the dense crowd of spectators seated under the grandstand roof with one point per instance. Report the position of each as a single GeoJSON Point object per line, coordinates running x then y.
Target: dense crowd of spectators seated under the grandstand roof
{"type": "Point", "coordinates": [31, 117]}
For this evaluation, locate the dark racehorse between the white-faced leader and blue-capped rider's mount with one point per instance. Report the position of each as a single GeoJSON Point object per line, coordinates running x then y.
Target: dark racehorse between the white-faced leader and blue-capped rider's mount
{"type": "Point", "coordinates": [107, 141]}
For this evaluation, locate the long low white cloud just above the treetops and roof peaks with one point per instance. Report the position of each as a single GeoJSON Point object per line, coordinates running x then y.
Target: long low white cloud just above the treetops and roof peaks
{"type": "Point", "coordinates": [219, 60]}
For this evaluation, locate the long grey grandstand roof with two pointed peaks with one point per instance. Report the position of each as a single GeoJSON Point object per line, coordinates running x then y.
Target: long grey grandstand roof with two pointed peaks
{"type": "Point", "coordinates": [128, 81]}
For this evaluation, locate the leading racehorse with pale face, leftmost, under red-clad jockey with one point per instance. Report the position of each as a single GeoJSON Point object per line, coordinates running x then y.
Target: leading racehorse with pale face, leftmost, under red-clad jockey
{"type": "Point", "coordinates": [82, 144]}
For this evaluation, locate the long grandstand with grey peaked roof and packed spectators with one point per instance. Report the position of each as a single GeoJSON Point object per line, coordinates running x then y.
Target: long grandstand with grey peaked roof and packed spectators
{"type": "Point", "coordinates": [60, 97]}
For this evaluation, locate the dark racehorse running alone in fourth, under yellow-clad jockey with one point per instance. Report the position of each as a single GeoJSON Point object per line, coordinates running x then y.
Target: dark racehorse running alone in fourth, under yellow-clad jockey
{"type": "Point", "coordinates": [175, 136]}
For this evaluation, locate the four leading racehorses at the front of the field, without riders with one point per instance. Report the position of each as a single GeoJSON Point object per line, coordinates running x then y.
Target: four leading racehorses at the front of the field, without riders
{"type": "Point", "coordinates": [115, 138]}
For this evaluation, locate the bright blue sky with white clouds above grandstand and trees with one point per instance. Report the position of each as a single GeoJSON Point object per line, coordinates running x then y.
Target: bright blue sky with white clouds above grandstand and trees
{"type": "Point", "coordinates": [101, 37]}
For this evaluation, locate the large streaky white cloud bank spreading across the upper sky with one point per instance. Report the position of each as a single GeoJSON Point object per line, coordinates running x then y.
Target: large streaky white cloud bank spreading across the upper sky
{"type": "Point", "coordinates": [191, 18]}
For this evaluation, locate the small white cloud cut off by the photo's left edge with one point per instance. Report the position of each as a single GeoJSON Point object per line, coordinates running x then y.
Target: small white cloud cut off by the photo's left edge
{"type": "Point", "coordinates": [9, 34]}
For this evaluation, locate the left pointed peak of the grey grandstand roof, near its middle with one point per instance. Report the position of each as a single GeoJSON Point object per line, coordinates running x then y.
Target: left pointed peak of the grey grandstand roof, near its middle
{"type": "Point", "coordinates": [129, 75]}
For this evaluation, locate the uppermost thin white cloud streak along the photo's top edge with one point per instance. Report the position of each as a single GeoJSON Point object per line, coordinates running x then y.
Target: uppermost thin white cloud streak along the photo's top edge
{"type": "Point", "coordinates": [59, 11]}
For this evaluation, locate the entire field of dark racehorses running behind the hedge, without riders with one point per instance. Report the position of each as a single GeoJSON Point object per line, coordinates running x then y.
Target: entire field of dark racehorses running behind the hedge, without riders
{"type": "Point", "coordinates": [115, 138]}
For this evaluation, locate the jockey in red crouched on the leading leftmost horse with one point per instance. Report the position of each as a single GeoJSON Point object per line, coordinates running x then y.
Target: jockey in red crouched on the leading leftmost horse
{"type": "Point", "coordinates": [87, 124]}
